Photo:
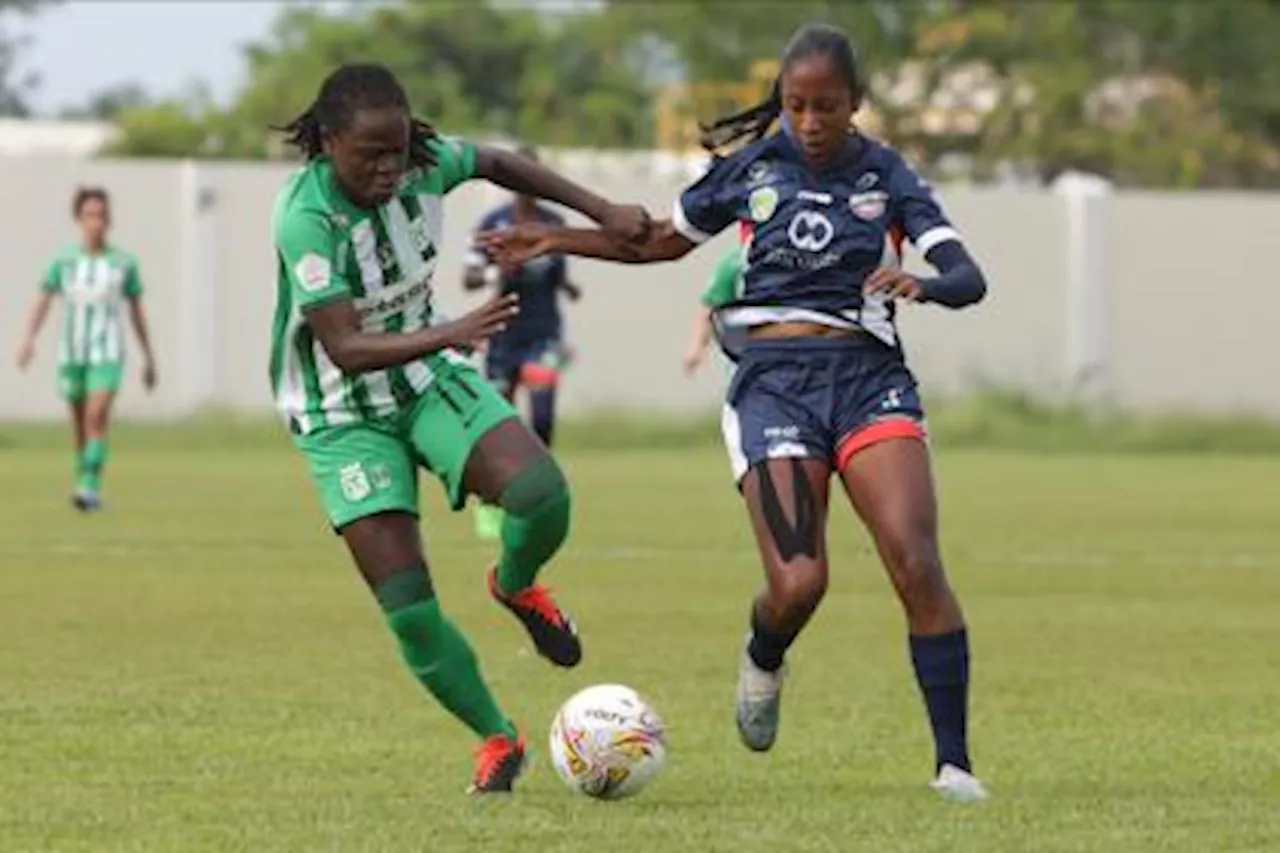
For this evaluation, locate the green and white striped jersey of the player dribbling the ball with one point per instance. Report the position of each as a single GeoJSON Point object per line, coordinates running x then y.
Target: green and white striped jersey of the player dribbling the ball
{"type": "Point", "coordinates": [383, 261]}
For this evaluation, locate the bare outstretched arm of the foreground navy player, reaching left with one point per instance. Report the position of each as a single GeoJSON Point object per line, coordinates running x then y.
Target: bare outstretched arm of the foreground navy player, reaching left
{"type": "Point", "coordinates": [520, 244]}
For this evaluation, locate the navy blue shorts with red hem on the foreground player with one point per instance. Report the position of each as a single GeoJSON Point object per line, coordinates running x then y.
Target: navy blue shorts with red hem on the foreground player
{"type": "Point", "coordinates": [817, 399]}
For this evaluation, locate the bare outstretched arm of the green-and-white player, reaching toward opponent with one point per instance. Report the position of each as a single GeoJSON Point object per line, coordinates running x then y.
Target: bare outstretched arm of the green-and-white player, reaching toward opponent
{"type": "Point", "coordinates": [531, 179]}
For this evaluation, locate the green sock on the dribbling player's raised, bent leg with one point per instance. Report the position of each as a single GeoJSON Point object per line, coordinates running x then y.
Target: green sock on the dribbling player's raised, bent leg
{"type": "Point", "coordinates": [534, 523]}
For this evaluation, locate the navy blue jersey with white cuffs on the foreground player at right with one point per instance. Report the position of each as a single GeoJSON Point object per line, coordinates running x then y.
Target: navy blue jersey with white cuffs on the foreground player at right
{"type": "Point", "coordinates": [816, 234]}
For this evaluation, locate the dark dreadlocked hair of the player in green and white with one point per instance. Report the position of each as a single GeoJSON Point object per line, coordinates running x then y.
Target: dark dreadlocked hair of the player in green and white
{"type": "Point", "coordinates": [350, 89]}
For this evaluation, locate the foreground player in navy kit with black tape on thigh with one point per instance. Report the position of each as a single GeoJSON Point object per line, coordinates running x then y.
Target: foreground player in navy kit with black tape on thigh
{"type": "Point", "coordinates": [821, 385]}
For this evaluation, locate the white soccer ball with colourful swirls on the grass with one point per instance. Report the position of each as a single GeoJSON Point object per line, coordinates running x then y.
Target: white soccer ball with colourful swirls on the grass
{"type": "Point", "coordinates": [607, 742]}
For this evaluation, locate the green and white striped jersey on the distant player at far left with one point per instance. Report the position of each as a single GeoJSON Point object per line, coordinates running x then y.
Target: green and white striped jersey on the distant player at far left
{"type": "Point", "coordinates": [94, 288]}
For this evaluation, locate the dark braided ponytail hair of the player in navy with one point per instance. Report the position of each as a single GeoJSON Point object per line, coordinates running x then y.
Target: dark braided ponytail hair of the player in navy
{"type": "Point", "coordinates": [755, 122]}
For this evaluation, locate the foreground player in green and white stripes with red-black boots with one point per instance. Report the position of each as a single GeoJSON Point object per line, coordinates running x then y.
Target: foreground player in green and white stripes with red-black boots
{"type": "Point", "coordinates": [372, 384]}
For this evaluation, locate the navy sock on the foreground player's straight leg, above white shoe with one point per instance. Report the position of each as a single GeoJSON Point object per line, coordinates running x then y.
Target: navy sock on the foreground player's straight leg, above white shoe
{"type": "Point", "coordinates": [943, 670]}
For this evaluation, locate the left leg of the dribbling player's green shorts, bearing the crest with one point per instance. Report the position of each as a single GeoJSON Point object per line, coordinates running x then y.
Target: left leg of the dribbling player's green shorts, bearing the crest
{"type": "Point", "coordinates": [362, 471]}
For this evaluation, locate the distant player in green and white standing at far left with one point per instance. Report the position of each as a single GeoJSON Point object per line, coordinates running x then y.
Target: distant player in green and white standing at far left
{"type": "Point", "coordinates": [95, 281]}
